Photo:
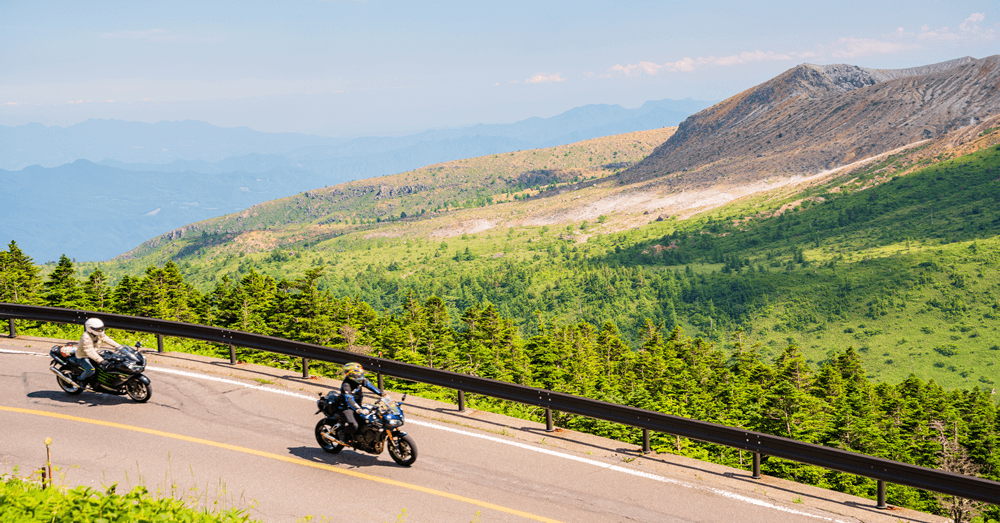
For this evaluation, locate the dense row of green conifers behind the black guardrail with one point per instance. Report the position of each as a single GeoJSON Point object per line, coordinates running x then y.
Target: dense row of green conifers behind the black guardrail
{"type": "Point", "coordinates": [833, 405]}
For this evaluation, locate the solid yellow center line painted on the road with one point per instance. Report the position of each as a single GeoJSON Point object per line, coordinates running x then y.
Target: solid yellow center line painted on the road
{"type": "Point", "coordinates": [295, 461]}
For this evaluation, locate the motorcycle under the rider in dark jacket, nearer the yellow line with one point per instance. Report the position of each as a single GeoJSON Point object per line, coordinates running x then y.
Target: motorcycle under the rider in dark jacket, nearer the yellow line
{"type": "Point", "coordinates": [371, 437]}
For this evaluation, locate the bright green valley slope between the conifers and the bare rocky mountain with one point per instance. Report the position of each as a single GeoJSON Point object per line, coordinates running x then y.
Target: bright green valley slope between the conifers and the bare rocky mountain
{"type": "Point", "coordinates": [904, 269]}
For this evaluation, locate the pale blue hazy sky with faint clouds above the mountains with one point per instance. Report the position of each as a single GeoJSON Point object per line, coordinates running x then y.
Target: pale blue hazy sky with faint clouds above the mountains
{"type": "Point", "coordinates": [349, 68]}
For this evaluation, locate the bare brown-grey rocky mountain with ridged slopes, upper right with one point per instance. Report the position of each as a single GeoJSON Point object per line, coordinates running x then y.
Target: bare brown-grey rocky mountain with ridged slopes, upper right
{"type": "Point", "coordinates": [814, 118]}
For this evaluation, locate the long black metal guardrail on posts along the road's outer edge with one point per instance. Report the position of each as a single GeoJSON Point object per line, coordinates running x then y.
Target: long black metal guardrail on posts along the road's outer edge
{"type": "Point", "coordinates": [882, 470]}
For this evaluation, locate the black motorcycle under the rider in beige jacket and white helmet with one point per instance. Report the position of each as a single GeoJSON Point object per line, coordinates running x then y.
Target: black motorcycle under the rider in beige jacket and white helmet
{"type": "Point", "coordinates": [121, 373]}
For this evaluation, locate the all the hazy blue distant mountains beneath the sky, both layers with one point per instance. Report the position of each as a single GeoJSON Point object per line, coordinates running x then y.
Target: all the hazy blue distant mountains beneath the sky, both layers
{"type": "Point", "coordinates": [99, 188]}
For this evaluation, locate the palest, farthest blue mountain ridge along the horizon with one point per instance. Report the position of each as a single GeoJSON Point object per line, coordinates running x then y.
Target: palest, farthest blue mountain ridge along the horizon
{"type": "Point", "coordinates": [202, 147]}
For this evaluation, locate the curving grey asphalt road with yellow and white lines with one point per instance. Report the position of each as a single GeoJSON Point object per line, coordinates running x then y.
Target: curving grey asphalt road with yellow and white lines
{"type": "Point", "coordinates": [222, 441]}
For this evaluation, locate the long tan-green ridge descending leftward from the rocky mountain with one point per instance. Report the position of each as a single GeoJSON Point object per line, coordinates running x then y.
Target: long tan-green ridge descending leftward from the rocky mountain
{"type": "Point", "coordinates": [427, 192]}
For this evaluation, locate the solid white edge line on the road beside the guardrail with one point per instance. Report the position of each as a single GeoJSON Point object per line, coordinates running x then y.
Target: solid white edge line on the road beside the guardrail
{"type": "Point", "coordinates": [550, 452]}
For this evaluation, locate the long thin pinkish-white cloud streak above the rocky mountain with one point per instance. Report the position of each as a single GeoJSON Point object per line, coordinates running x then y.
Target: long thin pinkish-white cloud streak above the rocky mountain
{"type": "Point", "coordinates": [970, 30]}
